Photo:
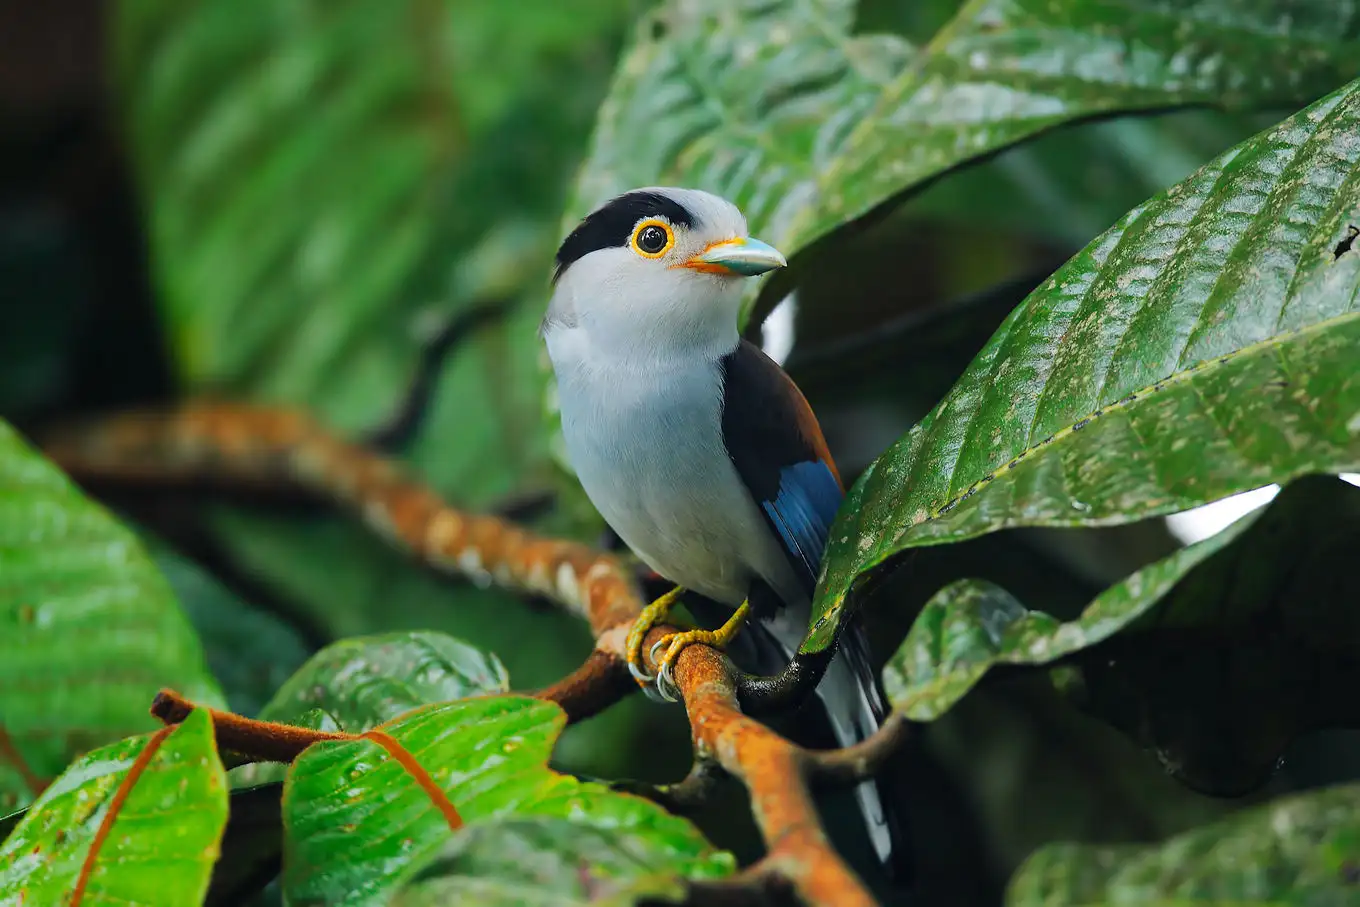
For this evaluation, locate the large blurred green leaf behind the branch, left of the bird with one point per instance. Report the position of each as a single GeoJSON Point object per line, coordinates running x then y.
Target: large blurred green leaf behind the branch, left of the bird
{"type": "Point", "coordinates": [324, 186]}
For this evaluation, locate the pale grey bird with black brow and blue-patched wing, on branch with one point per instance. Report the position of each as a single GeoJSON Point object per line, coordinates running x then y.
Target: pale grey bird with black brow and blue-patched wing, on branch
{"type": "Point", "coordinates": [697, 449]}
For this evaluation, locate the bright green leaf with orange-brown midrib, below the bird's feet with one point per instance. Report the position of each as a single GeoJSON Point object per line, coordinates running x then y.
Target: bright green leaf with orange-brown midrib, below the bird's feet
{"type": "Point", "coordinates": [358, 823]}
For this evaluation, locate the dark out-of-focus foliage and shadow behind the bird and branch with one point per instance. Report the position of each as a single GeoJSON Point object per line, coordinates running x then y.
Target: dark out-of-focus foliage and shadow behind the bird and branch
{"type": "Point", "coordinates": [296, 201]}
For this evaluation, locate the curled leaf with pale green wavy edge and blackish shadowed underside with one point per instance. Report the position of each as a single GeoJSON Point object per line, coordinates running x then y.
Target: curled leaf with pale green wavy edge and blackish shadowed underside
{"type": "Point", "coordinates": [1217, 657]}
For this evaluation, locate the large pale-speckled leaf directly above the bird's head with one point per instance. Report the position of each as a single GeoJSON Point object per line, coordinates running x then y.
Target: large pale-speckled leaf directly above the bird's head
{"type": "Point", "coordinates": [783, 108]}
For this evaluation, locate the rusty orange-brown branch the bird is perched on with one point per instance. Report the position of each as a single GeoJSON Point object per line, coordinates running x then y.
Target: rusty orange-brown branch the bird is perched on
{"type": "Point", "coordinates": [269, 448]}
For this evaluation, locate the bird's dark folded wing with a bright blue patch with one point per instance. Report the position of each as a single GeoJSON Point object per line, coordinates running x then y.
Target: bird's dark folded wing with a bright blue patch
{"type": "Point", "coordinates": [779, 449]}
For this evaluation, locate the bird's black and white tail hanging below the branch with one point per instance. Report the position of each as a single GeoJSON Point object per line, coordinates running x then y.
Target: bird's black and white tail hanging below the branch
{"type": "Point", "coordinates": [856, 711]}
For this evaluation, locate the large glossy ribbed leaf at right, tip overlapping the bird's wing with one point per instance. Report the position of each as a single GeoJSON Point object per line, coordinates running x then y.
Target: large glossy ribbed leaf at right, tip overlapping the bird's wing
{"type": "Point", "coordinates": [1202, 347]}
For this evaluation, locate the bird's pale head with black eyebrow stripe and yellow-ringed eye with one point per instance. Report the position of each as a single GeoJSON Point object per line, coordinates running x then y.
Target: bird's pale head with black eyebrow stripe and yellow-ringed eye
{"type": "Point", "coordinates": [658, 270]}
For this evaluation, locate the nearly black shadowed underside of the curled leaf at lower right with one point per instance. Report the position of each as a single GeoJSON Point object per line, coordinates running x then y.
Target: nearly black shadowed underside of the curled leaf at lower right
{"type": "Point", "coordinates": [1252, 649]}
